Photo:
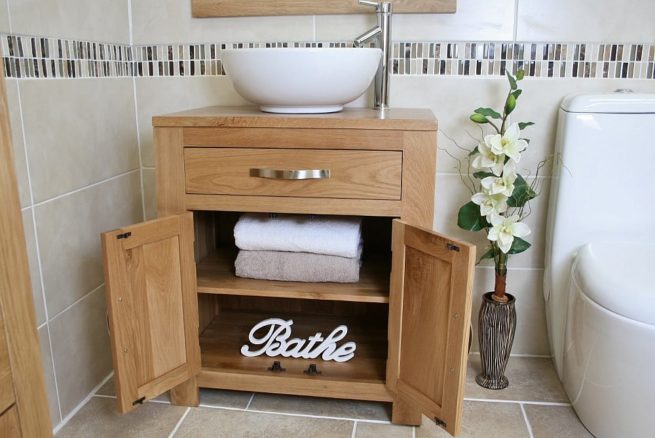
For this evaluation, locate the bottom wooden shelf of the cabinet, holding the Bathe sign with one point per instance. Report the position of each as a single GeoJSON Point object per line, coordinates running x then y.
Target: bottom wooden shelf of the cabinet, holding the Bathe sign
{"type": "Point", "coordinates": [362, 377]}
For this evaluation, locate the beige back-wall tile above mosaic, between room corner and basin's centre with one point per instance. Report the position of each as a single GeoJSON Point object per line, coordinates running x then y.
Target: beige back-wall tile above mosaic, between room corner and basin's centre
{"type": "Point", "coordinates": [158, 22]}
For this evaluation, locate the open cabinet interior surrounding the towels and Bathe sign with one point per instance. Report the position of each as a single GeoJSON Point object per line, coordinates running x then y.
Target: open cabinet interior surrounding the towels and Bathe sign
{"type": "Point", "coordinates": [230, 306]}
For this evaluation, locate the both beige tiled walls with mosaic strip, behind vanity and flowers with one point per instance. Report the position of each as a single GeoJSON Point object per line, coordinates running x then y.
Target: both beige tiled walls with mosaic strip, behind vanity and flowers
{"type": "Point", "coordinates": [84, 148]}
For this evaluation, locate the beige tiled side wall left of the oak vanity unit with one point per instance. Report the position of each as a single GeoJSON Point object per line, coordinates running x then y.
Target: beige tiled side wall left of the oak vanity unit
{"type": "Point", "coordinates": [78, 166]}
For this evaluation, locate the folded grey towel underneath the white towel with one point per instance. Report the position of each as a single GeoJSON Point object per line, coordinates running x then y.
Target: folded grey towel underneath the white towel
{"type": "Point", "coordinates": [296, 266]}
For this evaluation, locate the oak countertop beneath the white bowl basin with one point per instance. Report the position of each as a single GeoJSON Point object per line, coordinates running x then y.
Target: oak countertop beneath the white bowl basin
{"type": "Point", "coordinates": [350, 118]}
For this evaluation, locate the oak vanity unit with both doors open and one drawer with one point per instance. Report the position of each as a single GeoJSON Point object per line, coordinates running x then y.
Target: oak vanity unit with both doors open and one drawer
{"type": "Point", "coordinates": [179, 315]}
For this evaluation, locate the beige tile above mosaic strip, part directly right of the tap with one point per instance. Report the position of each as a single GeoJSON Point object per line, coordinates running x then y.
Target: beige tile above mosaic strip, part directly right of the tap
{"type": "Point", "coordinates": [474, 20]}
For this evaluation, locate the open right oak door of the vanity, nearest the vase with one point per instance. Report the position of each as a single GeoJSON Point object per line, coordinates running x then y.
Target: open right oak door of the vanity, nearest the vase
{"type": "Point", "coordinates": [429, 317]}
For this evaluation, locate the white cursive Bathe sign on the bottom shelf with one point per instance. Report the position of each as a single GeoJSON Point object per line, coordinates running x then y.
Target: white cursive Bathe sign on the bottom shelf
{"type": "Point", "coordinates": [275, 342]}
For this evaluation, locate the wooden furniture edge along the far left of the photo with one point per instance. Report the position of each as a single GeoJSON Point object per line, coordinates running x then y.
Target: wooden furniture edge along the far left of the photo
{"type": "Point", "coordinates": [23, 401]}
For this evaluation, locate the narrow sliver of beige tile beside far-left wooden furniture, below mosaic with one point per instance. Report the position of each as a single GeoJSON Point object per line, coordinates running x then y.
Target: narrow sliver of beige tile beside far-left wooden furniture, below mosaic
{"type": "Point", "coordinates": [18, 142]}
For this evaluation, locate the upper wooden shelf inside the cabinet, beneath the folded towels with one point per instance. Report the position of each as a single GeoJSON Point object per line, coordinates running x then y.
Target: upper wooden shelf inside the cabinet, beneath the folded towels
{"type": "Point", "coordinates": [216, 276]}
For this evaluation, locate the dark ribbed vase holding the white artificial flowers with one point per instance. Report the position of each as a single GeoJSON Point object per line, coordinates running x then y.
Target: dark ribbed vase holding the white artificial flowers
{"type": "Point", "coordinates": [496, 327]}
